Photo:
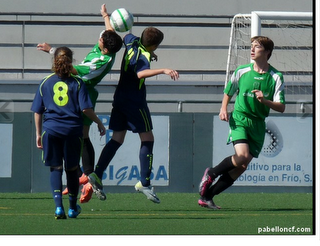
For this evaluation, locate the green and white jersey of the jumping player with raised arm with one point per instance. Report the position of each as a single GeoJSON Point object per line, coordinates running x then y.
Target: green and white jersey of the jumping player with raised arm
{"type": "Point", "coordinates": [95, 66]}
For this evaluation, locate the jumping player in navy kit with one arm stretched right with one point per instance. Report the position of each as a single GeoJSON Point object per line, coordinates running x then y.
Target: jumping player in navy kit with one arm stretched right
{"type": "Point", "coordinates": [130, 110]}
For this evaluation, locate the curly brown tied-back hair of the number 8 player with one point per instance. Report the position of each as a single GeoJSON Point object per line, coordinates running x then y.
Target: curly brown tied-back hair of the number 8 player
{"type": "Point", "coordinates": [62, 62]}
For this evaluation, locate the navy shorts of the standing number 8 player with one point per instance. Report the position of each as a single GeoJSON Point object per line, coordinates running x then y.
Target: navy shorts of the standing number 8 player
{"type": "Point", "coordinates": [56, 150]}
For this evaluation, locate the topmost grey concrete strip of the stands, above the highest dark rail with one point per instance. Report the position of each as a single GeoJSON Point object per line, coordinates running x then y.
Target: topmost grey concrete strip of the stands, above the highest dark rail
{"type": "Point", "coordinates": [205, 7]}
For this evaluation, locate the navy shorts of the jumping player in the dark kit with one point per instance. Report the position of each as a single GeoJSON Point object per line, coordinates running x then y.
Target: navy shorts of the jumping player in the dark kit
{"type": "Point", "coordinates": [135, 119]}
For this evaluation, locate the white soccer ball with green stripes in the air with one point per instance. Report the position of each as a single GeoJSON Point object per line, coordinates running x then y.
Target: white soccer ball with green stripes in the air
{"type": "Point", "coordinates": [121, 20]}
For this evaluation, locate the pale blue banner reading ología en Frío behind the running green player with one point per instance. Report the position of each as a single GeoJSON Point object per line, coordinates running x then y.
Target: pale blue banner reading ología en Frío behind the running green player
{"type": "Point", "coordinates": [286, 158]}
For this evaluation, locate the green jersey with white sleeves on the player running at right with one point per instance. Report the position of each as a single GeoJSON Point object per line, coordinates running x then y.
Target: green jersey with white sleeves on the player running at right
{"type": "Point", "coordinates": [244, 80]}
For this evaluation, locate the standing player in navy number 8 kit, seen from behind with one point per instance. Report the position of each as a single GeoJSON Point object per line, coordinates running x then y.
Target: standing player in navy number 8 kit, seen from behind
{"type": "Point", "coordinates": [61, 99]}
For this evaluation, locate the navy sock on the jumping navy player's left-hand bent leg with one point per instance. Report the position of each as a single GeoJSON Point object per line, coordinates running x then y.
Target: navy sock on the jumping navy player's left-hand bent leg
{"type": "Point", "coordinates": [106, 156]}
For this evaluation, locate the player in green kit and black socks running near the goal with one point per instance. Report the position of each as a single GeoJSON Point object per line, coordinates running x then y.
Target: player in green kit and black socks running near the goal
{"type": "Point", "coordinates": [259, 87]}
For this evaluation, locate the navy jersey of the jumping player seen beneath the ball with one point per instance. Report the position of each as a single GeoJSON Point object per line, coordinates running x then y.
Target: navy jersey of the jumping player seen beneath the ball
{"type": "Point", "coordinates": [131, 89]}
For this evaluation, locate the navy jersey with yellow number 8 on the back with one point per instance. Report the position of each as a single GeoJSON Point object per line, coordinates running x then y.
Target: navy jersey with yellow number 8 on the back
{"type": "Point", "coordinates": [61, 101]}
